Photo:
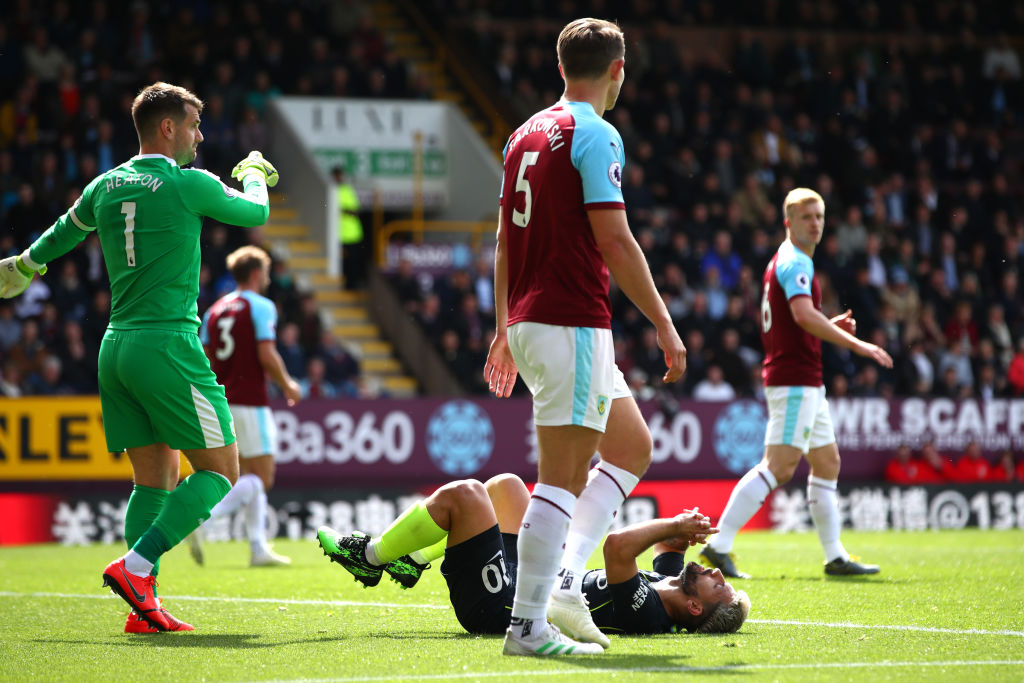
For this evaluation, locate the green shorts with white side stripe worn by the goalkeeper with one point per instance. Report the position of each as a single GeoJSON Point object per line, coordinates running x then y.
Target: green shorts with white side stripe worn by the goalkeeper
{"type": "Point", "coordinates": [157, 388]}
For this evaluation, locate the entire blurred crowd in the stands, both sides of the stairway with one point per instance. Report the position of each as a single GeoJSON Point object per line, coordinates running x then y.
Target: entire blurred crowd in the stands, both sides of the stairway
{"type": "Point", "coordinates": [905, 116]}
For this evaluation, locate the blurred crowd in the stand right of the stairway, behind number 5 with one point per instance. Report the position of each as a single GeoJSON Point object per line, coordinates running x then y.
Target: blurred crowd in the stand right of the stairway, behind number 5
{"type": "Point", "coordinates": [906, 117]}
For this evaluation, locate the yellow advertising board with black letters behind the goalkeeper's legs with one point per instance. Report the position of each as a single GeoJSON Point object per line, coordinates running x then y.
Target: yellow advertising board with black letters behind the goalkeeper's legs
{"type": "Point", "coordinates": [58, 439]}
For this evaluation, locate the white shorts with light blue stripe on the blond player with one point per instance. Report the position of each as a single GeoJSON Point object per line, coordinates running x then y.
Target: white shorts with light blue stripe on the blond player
{"type": "Point", "coordinates": [799, 417]}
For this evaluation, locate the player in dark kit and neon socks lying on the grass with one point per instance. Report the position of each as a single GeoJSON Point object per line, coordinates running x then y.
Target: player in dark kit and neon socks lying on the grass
{"type": "Point", "coordinates": [476, 526]}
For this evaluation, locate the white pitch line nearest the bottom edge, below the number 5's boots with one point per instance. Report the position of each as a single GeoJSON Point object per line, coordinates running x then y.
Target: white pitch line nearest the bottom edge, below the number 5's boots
{"type": "Point", "coordinates": [660, 670]}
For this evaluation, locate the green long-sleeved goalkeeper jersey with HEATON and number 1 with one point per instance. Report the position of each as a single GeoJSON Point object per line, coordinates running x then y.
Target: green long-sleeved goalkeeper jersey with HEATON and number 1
{"type": "Point", "coordinates": [149, 214]}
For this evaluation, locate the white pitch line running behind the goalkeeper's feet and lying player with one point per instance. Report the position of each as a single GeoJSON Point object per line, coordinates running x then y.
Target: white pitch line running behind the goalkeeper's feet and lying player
{"type": "Point", "coordinates": [350, 604]}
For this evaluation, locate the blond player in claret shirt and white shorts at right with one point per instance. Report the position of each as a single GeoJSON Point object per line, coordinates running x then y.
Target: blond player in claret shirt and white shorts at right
{"type": "Point", "coordinates": [799, 424]}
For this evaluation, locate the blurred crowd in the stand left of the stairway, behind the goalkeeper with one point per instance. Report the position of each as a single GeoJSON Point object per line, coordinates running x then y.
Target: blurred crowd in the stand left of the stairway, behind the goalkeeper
{"type": "Point", "coordinates": [68, 75]}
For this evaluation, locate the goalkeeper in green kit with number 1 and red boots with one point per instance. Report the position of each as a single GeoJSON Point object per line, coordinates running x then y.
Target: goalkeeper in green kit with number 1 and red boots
{"type": "Point", "coordinates": [158, 393]}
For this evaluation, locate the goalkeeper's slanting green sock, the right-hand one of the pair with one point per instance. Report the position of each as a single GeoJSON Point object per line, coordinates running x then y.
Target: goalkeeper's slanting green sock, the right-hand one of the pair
{"type": "Point", "coordinates": [187, 507]}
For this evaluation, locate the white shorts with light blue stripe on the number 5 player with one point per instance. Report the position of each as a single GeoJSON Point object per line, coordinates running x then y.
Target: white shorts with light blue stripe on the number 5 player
{"type": "Point", "coordinates": [572, 373]}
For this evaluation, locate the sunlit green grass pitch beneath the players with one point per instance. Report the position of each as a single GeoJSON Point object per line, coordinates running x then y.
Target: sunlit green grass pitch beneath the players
{"type": "Point", "coordinates": [949, 606]}
